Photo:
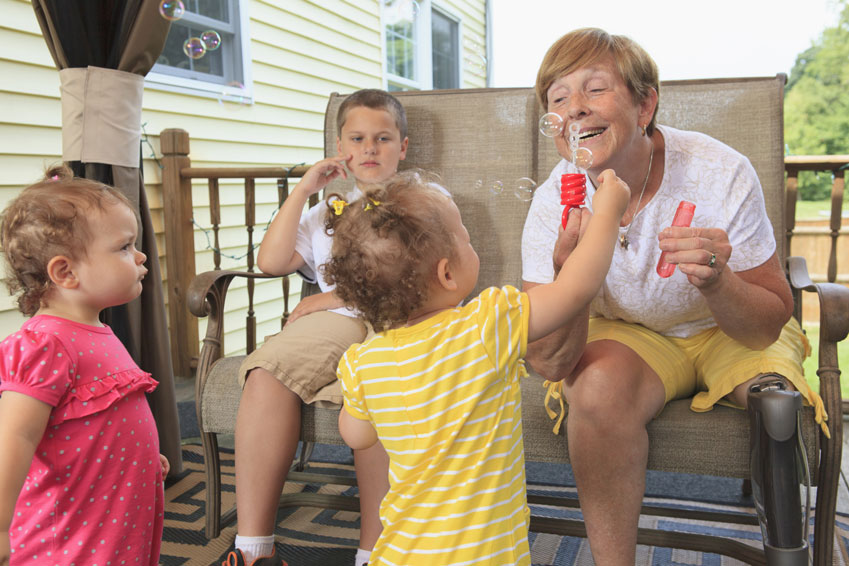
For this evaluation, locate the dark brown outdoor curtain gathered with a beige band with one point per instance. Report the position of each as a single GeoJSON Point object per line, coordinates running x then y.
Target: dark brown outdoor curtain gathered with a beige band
{"type": "Point", "coordinates": [103, 49]}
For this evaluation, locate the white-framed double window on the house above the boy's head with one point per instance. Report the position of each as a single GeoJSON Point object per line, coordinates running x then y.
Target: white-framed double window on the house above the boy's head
{"type": "Point", "coordinates": [422, 46]}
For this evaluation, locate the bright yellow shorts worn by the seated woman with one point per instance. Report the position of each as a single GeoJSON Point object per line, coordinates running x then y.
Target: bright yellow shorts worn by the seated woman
{"type": "Point", "coordinates": [709, 365]}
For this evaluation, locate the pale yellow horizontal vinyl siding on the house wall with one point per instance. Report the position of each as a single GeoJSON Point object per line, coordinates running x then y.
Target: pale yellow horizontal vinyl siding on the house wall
{"type": "Point", "coordinates": [301, 51]}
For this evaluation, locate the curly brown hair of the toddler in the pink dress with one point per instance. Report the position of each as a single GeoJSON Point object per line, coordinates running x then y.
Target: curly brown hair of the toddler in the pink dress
{"type": "Point", "coordinates": [48, 218]}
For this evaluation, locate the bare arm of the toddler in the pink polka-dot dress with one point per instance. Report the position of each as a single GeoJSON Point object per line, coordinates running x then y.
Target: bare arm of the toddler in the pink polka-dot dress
{"type": "Point", "coordinates": [23, 420]}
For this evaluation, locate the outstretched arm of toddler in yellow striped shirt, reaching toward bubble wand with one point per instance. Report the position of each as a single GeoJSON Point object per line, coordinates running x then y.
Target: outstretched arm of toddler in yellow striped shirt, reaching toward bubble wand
{"type": "Point", "coordinates": [552, 305]}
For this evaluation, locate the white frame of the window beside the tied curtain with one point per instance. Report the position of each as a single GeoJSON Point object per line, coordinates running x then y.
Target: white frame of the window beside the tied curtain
{"type": "Point", "coordinates": [198, 86]}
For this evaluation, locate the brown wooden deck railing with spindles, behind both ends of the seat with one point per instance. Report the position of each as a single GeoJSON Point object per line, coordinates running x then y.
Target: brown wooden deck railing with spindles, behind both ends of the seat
{"type": "Point", "coordinates": [178, 209]}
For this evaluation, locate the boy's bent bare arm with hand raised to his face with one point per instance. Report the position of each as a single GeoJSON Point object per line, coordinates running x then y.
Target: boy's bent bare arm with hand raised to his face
{"type": "Point", "coordinates": [277, 255]}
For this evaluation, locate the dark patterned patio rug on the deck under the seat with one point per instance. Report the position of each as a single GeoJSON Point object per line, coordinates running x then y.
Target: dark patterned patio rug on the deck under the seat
{"type": "Point", "coordinates": [322, 537]}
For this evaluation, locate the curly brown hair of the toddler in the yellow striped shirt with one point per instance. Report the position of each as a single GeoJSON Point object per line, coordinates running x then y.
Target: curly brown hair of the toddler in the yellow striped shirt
{"type": "Point", "coordinates": [386, 246]}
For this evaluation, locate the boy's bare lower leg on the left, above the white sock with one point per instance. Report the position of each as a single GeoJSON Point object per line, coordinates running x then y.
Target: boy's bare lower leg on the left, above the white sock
{"type": "Point", "coordinates": [267, 430]}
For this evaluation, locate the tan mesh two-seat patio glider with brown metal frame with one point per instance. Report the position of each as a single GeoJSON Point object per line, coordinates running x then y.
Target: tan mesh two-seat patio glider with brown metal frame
{"type": "Point", "coordinates": [476, 139]}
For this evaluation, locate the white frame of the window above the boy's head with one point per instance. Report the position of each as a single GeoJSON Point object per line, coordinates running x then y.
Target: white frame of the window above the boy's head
{"type": "Point", "coordinates": [423, 49]}
